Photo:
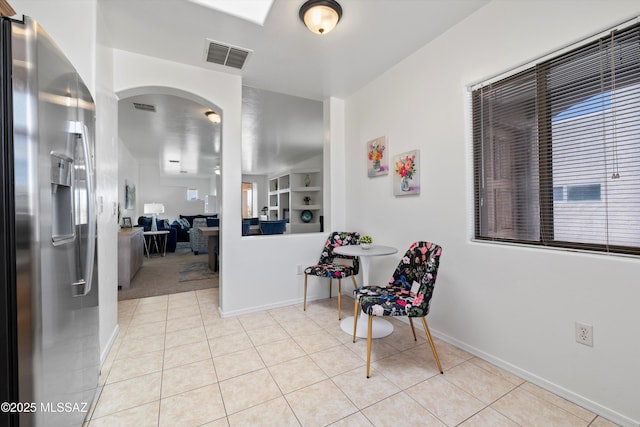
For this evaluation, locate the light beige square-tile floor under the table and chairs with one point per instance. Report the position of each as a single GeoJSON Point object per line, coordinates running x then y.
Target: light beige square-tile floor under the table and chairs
{"type": "Point", "coordinates": [175, 362]}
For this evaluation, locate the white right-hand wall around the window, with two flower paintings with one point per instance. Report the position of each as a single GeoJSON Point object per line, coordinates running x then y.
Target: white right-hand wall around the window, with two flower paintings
{"type": "Point", "coordinates": [513, 306]}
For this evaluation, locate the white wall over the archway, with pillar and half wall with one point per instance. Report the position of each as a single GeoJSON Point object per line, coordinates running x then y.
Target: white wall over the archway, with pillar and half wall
{"type": "Point", "coordinates": [271, 281]}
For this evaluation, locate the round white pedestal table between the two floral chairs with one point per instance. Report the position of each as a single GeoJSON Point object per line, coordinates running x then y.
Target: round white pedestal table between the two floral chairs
{"type": "Point", "coordinates": [380, 328]}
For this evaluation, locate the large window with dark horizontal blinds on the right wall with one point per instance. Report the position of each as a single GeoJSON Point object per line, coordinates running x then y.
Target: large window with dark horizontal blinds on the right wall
{"type": "Point", "coordinates": [556, 149]}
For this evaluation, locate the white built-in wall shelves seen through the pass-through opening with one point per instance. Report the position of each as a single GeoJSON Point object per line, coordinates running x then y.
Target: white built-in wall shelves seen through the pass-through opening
{"type": "Point", "coordinates": [287, 194]}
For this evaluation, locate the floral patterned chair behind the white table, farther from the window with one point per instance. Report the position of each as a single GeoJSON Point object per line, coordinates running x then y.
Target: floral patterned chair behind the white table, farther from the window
{"type": "Point", "coordinates": [329, 266]}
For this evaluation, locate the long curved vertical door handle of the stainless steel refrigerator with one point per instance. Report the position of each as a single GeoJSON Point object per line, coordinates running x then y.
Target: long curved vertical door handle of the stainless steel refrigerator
{"type": "Point", "coordinates": [83, 286]}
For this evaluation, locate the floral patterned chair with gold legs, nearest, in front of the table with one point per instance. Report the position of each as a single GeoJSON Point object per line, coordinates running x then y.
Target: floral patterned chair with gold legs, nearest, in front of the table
{"type": "Point", "coordinates": [408, 293]}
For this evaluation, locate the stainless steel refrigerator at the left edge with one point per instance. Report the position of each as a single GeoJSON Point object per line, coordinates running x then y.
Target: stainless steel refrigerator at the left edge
{"type": "Point", "coordinates": [49, 350]}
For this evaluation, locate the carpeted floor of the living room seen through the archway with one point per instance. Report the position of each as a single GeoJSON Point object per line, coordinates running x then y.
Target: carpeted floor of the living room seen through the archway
{"type": "Point", "coordinates": [162, 275]}
